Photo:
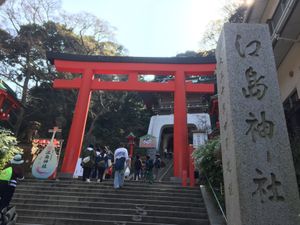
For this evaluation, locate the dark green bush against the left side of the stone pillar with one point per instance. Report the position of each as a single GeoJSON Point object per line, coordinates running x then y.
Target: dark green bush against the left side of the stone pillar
{"type": "Point", "coordinates": [208, 161]}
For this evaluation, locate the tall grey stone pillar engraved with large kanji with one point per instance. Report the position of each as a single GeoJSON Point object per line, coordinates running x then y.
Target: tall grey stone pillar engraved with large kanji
{"type": "Point", "coordinates": [260, 181]}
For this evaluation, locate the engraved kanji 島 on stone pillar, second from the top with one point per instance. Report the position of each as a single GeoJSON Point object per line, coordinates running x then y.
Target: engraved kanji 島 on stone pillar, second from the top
{"type": "Point", "coordinates": [255, 87]}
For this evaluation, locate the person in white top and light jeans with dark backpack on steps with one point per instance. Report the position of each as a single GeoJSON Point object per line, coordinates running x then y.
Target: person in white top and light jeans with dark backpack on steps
{"type": "Point", "coordinates": [121, 160]}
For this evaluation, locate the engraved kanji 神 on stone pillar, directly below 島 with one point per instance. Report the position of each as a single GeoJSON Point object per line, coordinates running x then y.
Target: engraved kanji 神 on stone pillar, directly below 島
{"type": "Point", "coordinates": [263, 129]}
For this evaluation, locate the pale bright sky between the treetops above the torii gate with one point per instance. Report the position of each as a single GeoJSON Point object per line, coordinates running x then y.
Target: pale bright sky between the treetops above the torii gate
{"type": "Point", "coordinates": [152, 28]}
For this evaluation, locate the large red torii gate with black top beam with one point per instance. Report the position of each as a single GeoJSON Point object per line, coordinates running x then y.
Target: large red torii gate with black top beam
{"type": "Point", "coordinates": [88, 66]}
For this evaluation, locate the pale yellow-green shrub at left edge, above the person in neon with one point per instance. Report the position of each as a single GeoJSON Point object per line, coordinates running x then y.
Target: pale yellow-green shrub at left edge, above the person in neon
{"type": "Point", "coordinates": [8, 147]}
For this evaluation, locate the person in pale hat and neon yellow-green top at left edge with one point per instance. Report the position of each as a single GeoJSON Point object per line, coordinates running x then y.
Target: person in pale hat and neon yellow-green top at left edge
{"type": "Point", "coordinates": [8, 180]}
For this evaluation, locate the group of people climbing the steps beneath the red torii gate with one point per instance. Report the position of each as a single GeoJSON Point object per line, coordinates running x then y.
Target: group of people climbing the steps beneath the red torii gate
{"type": "Point", "coordinates": [101, 163]}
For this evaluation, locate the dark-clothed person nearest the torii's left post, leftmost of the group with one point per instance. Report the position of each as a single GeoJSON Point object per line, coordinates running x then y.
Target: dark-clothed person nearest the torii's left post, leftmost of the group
{"type": "Point", "coordinates": [88, 163]}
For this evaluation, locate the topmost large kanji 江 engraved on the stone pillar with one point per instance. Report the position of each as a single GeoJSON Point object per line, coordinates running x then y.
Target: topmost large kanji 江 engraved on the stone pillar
{"type": "Point", "coordinates": [251, 48]}
